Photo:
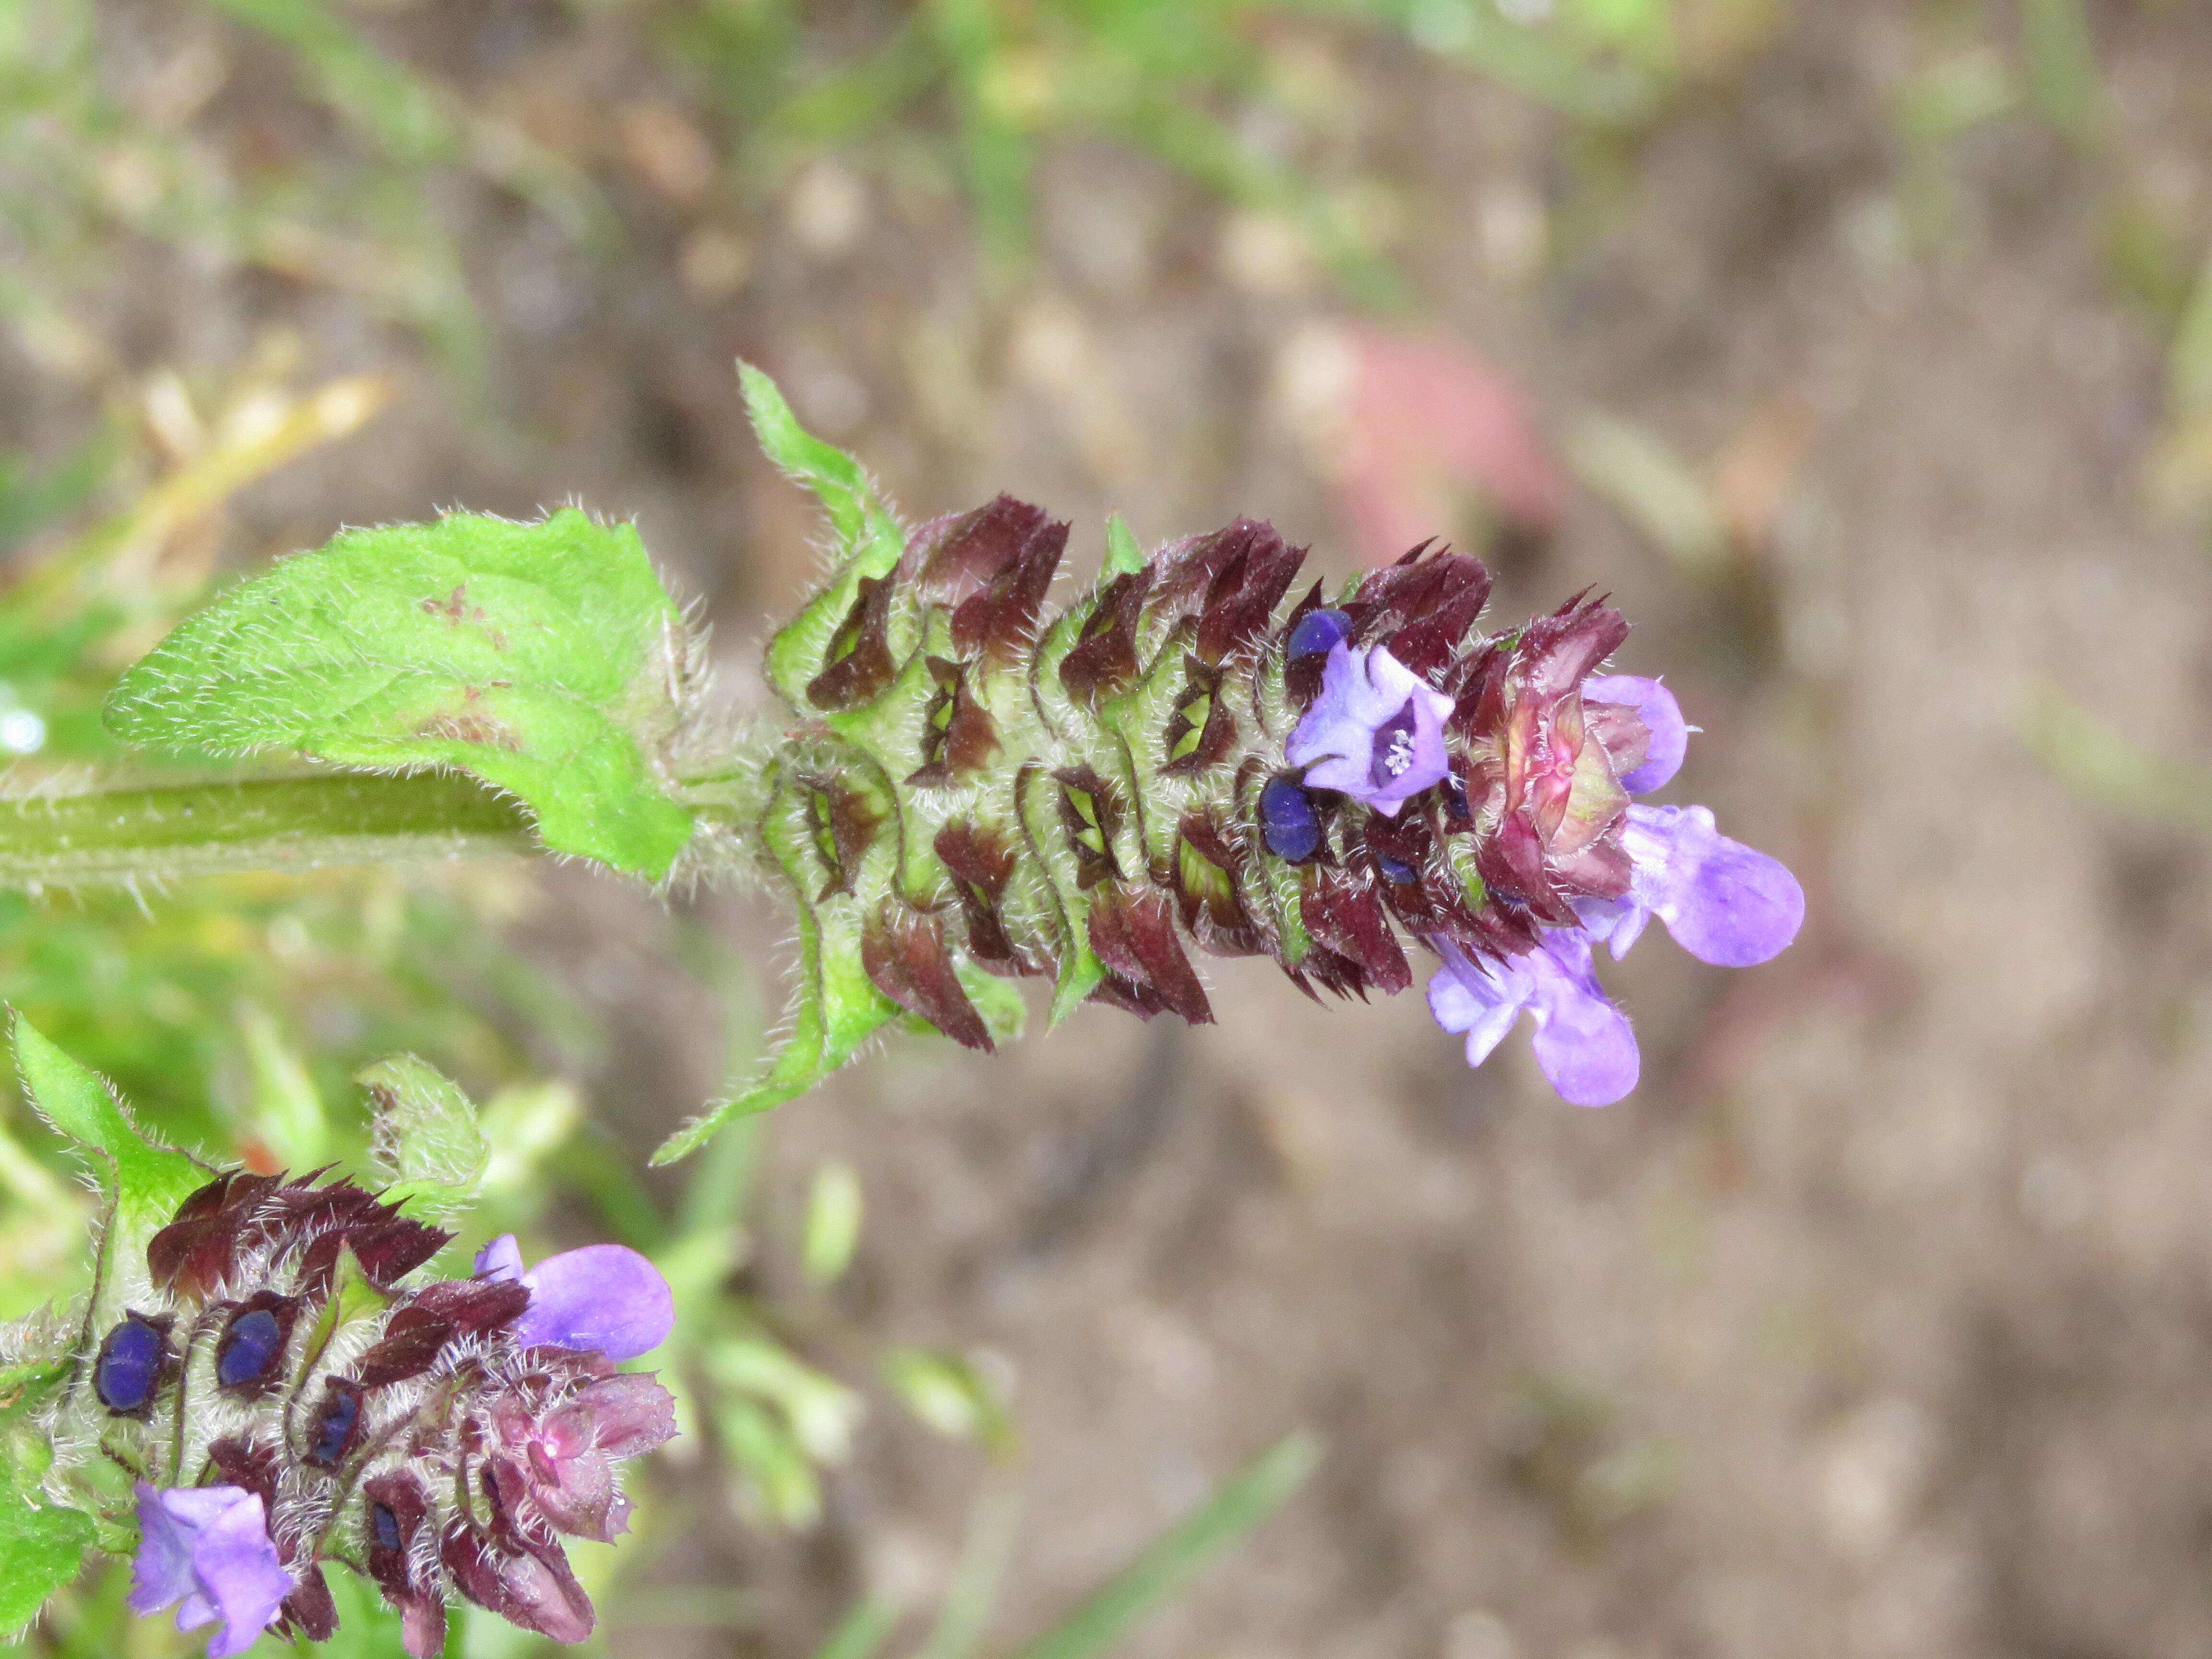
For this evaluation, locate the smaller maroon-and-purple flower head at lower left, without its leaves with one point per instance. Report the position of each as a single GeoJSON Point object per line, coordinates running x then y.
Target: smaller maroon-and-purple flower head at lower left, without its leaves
{"type": "Point", "coordinates": [291, 1401]}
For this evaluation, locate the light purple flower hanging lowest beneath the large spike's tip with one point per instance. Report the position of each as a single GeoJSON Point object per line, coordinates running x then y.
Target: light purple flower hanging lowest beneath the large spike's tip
{"type": "Point", "coordinates": [1583, 1041]}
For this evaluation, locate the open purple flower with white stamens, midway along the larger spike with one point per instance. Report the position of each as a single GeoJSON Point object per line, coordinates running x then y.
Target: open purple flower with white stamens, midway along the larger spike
{"type": "Point", "coordinates": [1377, 731]}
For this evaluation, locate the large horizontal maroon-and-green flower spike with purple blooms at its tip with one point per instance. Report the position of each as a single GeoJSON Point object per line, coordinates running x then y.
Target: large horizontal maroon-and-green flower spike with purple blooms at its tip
{"type": "Point", "coordinates": [1191, 755]}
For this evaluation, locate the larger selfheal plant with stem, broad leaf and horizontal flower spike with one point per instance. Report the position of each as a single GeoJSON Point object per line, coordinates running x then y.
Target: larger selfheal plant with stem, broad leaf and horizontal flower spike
{"type": "Point", "coordinates": [966, 784]}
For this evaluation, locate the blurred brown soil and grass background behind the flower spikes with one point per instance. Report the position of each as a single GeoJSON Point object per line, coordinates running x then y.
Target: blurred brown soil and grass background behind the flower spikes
{"type": "Point", "coordinates": [1861, 351]}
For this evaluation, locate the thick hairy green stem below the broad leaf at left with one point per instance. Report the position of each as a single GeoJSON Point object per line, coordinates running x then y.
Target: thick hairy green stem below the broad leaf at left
{"type": "Point", "coordinates": [112, 833]}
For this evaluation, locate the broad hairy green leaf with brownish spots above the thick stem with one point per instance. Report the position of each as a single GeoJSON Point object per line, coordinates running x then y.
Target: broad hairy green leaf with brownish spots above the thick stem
{"type": "Point", "coordinates": [541, 658]}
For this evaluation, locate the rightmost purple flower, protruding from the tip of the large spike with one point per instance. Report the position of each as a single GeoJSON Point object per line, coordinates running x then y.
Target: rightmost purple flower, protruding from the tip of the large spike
{"type": "Point", "coordinates": [1722, 901]}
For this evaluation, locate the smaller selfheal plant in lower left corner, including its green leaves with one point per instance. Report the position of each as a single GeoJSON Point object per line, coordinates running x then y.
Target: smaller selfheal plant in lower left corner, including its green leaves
{"type": "Point", "coordinates": [289, 1388]}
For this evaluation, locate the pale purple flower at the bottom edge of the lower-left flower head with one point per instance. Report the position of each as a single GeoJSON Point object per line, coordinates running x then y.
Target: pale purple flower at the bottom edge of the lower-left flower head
{"type": "Point", "coordinates": [211, 1547]}
